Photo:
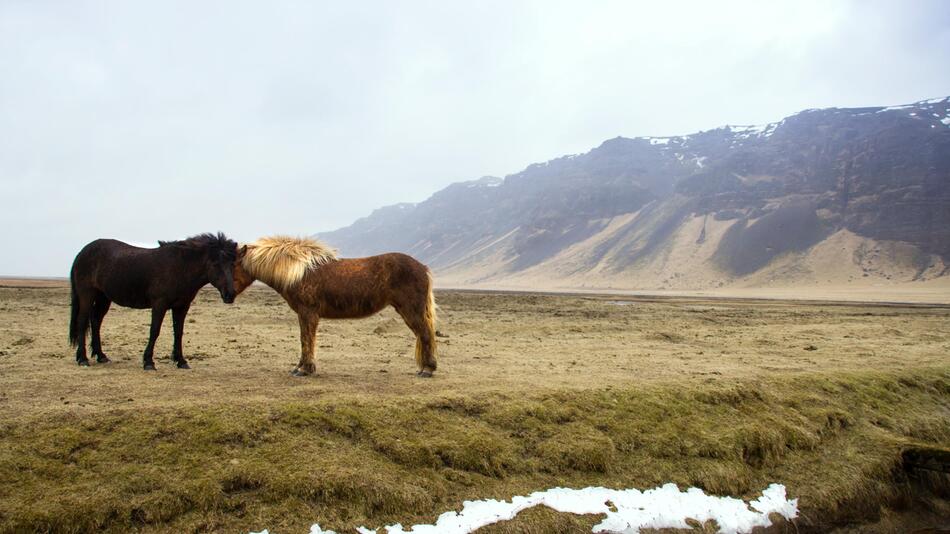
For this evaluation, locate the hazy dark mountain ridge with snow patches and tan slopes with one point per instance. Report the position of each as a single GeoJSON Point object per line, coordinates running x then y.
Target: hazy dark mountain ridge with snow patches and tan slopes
{"type": "Point", "coordinates": [825, 195]}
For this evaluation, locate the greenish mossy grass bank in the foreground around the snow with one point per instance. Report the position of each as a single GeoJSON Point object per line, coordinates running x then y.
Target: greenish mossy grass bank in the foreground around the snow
{"type": "Point", "coordinates": [834, 440]}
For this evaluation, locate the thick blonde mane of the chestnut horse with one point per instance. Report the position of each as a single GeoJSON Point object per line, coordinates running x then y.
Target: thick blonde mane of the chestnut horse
{"type": "Point", "coordinates": [282, 261]}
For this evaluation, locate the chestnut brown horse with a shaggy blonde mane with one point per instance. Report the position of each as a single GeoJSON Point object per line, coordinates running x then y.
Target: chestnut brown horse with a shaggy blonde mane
{"type": "Point", "coordinates": [316, 284]}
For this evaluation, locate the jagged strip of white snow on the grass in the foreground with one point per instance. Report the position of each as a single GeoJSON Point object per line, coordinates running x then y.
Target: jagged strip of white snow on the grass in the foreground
{"type": "Point", "coordinates": [663, 507]}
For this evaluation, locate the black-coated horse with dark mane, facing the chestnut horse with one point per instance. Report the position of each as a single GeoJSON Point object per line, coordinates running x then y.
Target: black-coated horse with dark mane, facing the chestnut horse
{"type": "Point", "coordinates": [163, 278]}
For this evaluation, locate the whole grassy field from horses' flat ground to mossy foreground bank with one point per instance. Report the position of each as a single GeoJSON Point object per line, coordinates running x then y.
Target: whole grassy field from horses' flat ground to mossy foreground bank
{"type": "Point", "coordinates": [532, 392]}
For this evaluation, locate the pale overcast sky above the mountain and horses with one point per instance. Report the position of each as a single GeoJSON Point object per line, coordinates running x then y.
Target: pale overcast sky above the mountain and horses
{"type": "Point", "coordinates": [144, 121]}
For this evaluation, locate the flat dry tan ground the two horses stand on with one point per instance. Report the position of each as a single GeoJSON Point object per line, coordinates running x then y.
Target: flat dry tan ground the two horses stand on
{"type": "Point", "coordinates": [492, 342]}
